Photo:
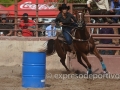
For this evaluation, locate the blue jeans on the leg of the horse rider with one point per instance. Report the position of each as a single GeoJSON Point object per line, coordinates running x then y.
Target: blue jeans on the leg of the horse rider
{"type": "Point", "coordinates": [66, 35]}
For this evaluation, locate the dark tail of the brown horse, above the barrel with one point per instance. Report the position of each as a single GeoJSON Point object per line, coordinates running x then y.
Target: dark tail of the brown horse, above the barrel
{"type": "Point", "coordinates": [50, 47]}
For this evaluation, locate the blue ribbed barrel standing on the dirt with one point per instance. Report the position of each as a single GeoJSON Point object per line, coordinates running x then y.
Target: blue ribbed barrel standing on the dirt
{"type": "Point", "coordinates": [33, 69]}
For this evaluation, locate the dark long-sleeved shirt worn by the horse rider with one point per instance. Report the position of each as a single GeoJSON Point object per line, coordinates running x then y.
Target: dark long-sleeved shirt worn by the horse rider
{"type": "Point", "coordinates": [67, 20]}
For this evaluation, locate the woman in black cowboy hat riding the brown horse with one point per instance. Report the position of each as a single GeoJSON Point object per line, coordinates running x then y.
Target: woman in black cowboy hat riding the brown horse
{"type": "Point", "coordinates": [64, 19]}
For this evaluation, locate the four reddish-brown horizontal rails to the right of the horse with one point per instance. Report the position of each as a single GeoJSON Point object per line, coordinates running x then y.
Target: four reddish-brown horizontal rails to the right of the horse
{"type": "Point", "coordinates": [104, 36]}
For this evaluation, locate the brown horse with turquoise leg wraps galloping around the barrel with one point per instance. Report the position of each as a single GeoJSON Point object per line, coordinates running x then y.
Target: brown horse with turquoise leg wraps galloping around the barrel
{"type": "Point", "coordinates": [83, 43]}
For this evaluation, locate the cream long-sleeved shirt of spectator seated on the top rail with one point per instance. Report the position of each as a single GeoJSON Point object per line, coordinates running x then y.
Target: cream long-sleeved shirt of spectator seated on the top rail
{"type": "Point", "coordinates": [102, 4]}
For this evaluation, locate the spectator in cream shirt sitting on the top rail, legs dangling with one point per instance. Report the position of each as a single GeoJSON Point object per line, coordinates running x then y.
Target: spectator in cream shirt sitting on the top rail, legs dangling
{"type": "Point", "coordinates": [103, 7]}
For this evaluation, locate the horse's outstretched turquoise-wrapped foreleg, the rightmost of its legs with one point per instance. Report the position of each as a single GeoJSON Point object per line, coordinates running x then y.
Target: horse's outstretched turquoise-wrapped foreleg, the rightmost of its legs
{"type": "Point", "coordinates": [95, 51]}
